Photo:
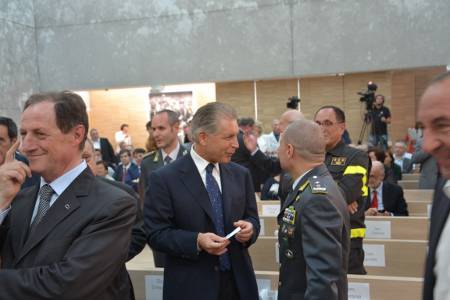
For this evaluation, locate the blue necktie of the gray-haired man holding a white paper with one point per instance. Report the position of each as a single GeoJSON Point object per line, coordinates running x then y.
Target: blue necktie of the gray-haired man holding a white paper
{"type": "Point", "coordinates": [216, 201]}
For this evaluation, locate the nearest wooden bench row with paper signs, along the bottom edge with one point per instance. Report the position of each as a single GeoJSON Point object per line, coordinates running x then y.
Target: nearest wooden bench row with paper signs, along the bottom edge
{"type": "Point", "coordinates": [377, 287]}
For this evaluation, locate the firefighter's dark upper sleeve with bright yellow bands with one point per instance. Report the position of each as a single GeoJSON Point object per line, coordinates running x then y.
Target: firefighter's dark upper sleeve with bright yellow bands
{"type": "Point", "coordinates": [353, 183]}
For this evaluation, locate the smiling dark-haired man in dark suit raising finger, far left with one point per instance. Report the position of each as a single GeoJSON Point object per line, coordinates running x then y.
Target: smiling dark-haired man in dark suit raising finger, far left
{"type": "Point", "coordinates": [56, 239]}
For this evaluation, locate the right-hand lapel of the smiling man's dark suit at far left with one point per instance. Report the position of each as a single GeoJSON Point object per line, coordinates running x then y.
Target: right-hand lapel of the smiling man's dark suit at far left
{"type": "Point", "coordinates": [64, 206]}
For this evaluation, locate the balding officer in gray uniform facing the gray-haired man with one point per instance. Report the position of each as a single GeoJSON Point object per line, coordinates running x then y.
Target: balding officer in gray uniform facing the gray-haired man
{"type": "Point", "coordinates": [314, 221]}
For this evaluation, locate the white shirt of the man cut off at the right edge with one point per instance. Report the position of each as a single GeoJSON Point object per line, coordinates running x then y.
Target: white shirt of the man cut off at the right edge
{"type": "Point", "coordinates": [442, 266]}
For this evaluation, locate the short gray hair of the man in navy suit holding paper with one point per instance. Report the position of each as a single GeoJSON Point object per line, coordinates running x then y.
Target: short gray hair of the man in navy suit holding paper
{"type": "Point", "coordinates": [207, 117]}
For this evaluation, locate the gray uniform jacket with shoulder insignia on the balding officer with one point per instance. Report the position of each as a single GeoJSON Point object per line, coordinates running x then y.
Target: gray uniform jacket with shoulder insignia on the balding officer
{"type": "Point", "coordinates": [314, 240]}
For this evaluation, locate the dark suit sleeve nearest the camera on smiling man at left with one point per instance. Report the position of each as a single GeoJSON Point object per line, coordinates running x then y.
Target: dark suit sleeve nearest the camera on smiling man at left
{"type": "Point", "coordinates": [87, 268]}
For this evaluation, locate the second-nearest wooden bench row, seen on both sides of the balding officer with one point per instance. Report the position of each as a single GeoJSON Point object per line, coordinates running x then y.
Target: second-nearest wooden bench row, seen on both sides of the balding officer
{"type": "Point", "coordinates": [400, 257]}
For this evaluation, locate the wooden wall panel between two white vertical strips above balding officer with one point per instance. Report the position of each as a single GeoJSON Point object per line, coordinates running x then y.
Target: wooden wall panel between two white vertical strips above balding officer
{"type": "Point", "coordinates": [272, 97]}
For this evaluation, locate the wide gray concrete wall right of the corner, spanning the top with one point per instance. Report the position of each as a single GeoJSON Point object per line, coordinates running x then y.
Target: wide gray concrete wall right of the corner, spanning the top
{"type": "Point", "coordinates": [122, 43]}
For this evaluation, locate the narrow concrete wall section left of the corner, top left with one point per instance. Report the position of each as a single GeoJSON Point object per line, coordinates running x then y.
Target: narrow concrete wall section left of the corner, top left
{"type": "Point", "coordinates": [18, 67]}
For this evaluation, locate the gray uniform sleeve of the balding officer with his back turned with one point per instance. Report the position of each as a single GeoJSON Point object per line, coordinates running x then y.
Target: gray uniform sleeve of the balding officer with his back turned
{"type": "Point", "coordinates": [321, 229]}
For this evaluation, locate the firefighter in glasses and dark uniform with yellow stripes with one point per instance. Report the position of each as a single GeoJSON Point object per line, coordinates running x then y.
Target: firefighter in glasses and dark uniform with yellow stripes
{"type": "Point", "coordinates": [349, 168]}
